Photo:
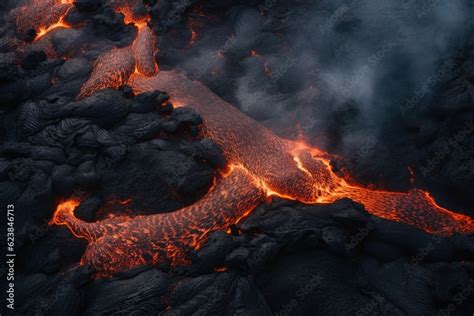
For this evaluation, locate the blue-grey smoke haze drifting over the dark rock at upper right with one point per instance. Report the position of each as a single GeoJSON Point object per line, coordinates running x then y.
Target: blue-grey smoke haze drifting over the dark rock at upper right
{"type": "Point", "coordinates": [327, 65]}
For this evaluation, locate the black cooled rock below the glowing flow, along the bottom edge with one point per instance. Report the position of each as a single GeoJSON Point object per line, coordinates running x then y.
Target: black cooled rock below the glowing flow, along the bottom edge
{"type": "Point", "coordinates": [286, 259]}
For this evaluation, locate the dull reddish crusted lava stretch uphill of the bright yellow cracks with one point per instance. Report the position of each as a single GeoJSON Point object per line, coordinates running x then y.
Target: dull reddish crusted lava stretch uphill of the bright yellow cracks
{"type": "Point", "coordinates": [243, 140]}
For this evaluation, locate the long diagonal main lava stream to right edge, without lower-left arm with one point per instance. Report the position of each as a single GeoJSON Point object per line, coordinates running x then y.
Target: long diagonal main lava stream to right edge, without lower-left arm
{"type": "Point", "coordinates": [293, 170]}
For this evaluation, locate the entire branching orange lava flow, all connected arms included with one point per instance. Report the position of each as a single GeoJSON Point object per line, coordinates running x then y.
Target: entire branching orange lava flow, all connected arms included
{"type": "Point", "coordinates": [261, 165]}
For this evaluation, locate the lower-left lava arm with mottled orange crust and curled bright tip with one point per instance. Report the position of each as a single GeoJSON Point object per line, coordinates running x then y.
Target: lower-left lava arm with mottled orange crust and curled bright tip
{"type": "Point", "coordinates": [122, 243]}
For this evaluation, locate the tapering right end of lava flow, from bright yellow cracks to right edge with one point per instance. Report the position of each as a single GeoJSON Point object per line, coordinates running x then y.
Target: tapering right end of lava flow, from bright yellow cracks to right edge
{"type": "Point", "coordinates": [416, 207]}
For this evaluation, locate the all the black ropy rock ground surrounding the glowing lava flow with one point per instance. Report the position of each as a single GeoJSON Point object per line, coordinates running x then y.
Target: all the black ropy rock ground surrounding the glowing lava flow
{"type": "Point", "coordinates": [126, 154]}
